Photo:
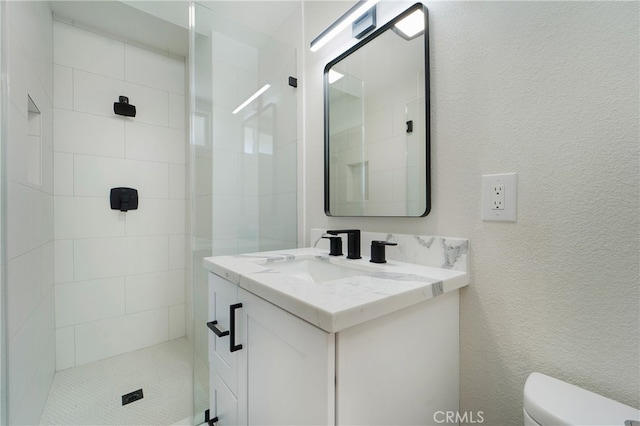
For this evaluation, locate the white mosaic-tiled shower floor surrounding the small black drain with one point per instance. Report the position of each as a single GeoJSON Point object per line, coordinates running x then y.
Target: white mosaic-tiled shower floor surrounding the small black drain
{"type": "Point", "coordinates": [91, 394]}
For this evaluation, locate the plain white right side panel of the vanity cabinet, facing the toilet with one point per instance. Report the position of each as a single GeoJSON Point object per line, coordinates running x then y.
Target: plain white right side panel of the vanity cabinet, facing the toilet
{"type": "Point", "coordinates": [402, 368]}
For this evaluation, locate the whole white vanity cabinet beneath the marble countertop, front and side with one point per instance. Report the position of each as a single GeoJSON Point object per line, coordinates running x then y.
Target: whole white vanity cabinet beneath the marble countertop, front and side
{"type": "Point", "coordinates": [400, 368]}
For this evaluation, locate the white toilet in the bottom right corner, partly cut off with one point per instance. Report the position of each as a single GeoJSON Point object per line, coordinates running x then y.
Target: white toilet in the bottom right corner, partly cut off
{"type": "Point", "coordinates": [549, 401]}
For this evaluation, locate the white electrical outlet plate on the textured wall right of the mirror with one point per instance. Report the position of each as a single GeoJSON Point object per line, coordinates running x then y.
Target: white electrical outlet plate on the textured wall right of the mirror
{"type": "Point", "coordinates": [499, 195]}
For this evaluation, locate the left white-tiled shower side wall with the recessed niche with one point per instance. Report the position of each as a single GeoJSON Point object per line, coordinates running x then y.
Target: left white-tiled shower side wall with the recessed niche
{"type": "Point", "coordinates": [29, 210]}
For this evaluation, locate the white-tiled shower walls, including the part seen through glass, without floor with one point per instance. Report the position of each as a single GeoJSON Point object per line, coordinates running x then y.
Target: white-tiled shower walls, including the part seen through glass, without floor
{"type": "Point", "coordinates": [86, 284]}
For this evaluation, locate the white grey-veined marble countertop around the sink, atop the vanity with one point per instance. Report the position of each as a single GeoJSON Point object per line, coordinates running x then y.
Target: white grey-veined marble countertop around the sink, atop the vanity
{"type": "Point", "coordinates": [340, 303]}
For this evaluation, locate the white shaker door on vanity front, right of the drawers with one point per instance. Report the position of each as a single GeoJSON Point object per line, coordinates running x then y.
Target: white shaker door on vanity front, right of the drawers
{"type": "Point", "coordinates": [290, 367]}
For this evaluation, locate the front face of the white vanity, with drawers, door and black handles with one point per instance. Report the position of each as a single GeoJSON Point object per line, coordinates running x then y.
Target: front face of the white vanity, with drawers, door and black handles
{"type": "Point", "coordinates": [282, 374]}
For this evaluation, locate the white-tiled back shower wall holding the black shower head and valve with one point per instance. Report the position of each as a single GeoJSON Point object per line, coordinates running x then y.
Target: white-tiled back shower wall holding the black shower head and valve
{"type": "Point", "coordinates": [119, 277]}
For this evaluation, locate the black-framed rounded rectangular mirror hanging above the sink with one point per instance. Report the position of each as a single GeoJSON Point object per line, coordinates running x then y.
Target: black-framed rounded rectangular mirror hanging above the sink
{"type": "Point", "coordinates": [376, 100]}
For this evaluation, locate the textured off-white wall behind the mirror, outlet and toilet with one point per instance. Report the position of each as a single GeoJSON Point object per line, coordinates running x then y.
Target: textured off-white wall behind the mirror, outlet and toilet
{"type": "Point", "coordinates": [548, 90]}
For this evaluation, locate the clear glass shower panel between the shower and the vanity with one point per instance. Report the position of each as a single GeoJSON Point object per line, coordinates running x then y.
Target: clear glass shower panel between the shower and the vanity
{"type": "Point", "coordinates": [243, 152]}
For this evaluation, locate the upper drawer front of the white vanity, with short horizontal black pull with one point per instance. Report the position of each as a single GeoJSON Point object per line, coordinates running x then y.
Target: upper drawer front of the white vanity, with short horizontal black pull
{"type": "Point", "coordinates": [222, 294]}
